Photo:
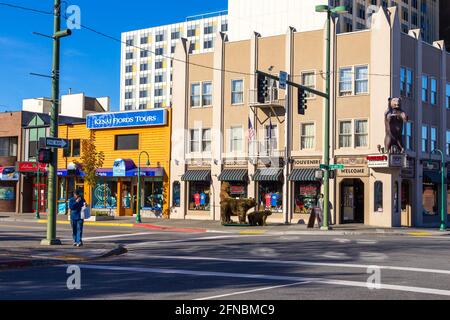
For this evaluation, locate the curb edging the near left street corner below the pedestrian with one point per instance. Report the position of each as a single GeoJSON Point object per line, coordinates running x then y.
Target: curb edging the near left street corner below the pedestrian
{"type": "Point", "coordinates": [33, 263]}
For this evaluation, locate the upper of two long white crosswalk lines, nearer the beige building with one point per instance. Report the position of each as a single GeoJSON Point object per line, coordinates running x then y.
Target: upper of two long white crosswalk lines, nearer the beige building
{"type": "Point", "coordinates": [302, 263]}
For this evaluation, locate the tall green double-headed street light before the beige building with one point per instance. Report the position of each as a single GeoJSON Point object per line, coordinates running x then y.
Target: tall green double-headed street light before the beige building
{"type": "Point", "coordinates": [326, 185]}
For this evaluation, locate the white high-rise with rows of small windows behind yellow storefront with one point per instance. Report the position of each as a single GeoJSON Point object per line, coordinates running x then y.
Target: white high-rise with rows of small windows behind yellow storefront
{"type": "Point", "coordinates": [146, 65]}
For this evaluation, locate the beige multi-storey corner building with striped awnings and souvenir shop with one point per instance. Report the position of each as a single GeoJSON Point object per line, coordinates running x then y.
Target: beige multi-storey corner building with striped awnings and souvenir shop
{"type": "Point", "coordinates": [221, 134]}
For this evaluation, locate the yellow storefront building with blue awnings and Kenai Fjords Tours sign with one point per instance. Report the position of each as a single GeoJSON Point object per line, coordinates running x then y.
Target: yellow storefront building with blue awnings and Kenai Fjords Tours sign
{"type": "Point", "coordinates": [125, 138]}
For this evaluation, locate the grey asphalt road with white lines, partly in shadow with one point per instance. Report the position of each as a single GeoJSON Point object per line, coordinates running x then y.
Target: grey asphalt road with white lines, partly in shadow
{"type": "Point", "coordinates": [161, 265]}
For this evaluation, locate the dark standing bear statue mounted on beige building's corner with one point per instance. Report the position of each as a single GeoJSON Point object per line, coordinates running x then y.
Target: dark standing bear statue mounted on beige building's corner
{"type": "Point", "coordinates": [394, 120]}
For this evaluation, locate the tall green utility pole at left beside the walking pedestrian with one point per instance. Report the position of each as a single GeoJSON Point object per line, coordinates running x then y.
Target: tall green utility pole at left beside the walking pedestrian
{"type": "Point", "coordinates": [53, 167]}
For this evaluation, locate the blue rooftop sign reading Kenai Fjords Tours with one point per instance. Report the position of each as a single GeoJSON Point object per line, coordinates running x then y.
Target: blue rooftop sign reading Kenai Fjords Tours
{"type": "Point", "coordinates": [145, 118]}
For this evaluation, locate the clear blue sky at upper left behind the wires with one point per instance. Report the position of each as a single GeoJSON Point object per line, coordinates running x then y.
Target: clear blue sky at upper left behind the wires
{"type": "Point", "coordinates": [89, 63]}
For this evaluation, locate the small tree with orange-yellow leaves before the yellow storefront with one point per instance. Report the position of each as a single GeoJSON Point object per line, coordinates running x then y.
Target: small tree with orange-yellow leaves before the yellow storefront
{"type": "Point", "coordinates": [91, 160]}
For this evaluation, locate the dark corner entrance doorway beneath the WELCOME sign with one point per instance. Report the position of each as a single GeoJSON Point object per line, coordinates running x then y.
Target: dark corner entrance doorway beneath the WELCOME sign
{"type": "Point", "coordinates": [352, 201]}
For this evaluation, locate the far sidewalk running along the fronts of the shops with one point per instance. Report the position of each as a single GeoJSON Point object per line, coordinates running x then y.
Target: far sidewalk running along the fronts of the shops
{"type": "Point", "coordinates": [202, 226]}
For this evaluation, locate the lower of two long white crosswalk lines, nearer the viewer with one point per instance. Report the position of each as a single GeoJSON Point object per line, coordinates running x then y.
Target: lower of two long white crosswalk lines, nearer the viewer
{"type": "Point", "coordinates": [267, 277]}
